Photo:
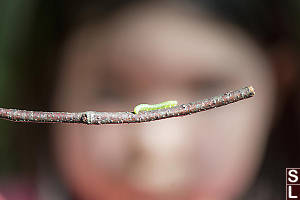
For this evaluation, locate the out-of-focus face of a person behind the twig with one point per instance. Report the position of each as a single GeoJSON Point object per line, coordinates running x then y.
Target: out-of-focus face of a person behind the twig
{"type": "Point", "coordinates": [150, 55]}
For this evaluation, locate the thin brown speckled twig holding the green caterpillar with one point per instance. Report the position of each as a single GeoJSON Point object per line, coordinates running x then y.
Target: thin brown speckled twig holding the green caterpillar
{"type": "Point", "coordinates": [92, 117]}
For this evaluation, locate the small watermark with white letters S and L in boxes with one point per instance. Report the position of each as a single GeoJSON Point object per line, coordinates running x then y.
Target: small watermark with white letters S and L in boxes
{"type": "Point", "coordinates": [292, 183]}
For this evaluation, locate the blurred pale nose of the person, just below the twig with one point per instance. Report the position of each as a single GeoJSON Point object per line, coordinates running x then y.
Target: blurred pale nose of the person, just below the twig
{"type": "Point", "coordinates": [160, 162]}
